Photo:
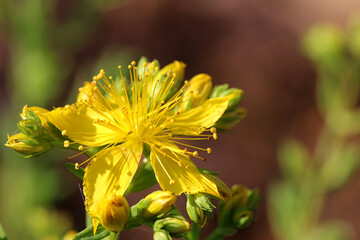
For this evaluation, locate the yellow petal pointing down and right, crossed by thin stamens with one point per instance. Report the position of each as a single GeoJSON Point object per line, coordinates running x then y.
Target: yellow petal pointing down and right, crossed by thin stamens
{"type": "Point", "coordinates": [176, 173]}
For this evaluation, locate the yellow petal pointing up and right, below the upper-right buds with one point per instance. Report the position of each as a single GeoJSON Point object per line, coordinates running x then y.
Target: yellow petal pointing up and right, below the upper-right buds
{"type": "Point", "coordinates": [204, 116]}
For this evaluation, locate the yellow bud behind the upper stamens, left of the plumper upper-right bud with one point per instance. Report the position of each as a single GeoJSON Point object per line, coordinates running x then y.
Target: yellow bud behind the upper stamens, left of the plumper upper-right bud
{"type": "Point", "coordinates": [172, 74]}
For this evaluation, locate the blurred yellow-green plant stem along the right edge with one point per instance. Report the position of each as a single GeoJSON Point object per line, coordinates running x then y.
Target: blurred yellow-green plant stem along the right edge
{"type": "Point", "coordinates": [296, 201]}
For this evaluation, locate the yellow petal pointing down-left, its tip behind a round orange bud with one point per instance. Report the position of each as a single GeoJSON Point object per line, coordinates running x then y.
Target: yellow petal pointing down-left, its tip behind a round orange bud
{"type": "Point", "coordinates": [109, 174]}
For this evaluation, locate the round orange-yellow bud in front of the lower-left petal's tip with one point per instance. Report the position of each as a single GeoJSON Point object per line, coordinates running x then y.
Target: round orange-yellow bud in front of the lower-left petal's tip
{"type": "Point", "coordinates": [113, 213]}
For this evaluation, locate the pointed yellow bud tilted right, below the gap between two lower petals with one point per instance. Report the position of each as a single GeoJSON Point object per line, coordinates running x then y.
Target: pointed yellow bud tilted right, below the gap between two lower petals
{"type": "Point", "coordinates": [160, 203]}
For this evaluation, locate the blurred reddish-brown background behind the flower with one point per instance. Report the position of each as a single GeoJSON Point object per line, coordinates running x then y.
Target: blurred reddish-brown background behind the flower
{"type": "Point", "coordinates": [250, 44]}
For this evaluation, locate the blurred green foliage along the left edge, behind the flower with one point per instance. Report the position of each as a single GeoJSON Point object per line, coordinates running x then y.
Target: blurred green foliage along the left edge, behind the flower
{"type": "Point", "coordinates": [41, 48]}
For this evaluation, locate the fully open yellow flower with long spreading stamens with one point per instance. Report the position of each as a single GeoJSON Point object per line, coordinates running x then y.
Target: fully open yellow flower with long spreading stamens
{"type": "Point", "coordinates": [122, 122]}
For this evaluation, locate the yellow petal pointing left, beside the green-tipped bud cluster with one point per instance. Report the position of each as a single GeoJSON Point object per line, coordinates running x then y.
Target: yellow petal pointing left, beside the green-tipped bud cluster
{"type": "Point", "coordinates": [78, 121]}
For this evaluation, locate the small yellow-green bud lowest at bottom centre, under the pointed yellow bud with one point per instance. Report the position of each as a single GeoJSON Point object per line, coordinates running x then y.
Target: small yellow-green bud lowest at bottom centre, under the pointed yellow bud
{"type": "Point", "coordinates": [176, 226]}
